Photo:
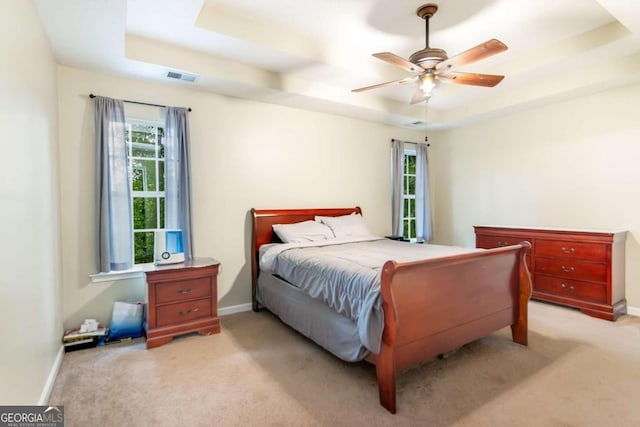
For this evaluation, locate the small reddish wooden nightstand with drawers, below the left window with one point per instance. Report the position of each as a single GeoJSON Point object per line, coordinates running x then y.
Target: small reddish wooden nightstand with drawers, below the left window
{"type": "Point", "coordinates": [182, 298]}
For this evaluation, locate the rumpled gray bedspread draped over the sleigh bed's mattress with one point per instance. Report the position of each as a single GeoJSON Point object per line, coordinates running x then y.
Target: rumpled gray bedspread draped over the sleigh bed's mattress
{"type": "Point", "coordinates": [345, 274]}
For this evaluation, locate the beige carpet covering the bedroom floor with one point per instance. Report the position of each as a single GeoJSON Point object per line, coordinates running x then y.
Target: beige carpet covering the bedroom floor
{"type": "Point", "coordinates": [576, 371]}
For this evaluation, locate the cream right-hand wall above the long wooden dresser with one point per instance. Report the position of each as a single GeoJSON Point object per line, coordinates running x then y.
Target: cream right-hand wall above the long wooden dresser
{"type": "Point", "coordinates": [575, 164]}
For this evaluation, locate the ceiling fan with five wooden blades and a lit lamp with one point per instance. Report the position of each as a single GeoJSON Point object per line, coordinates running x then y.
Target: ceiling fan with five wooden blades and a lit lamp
{"type": "Point", "coordinates": [433, 65]}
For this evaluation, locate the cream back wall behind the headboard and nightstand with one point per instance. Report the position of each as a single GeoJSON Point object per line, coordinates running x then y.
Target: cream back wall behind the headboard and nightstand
{"type": "Point", "coordinates": [244, 154]}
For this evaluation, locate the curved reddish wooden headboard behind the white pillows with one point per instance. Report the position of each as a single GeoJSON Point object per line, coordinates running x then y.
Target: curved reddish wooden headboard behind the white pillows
{"type": "Point", "coordinates": [263, 220]}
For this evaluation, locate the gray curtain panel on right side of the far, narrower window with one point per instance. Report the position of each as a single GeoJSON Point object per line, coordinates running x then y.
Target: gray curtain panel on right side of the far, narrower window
{"type": "Point", "coordinates": [424, 228]}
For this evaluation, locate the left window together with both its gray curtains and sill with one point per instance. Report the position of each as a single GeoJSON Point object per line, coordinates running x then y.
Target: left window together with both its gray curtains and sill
{"type": "Point", "coordinates": [143, 181]}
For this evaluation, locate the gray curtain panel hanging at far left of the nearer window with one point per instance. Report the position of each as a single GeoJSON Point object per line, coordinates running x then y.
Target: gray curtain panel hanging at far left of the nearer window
{"type": "Point", "coordinates": [115, 228]}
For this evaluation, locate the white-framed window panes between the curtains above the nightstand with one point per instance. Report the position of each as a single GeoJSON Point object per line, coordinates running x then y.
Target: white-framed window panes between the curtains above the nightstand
{"type": "Point", "coordinates": [146, 175]}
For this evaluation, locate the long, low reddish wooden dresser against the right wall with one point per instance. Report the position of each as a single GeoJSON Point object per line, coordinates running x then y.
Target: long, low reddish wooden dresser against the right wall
{"type": "Point", "coordinates": [576, 268]}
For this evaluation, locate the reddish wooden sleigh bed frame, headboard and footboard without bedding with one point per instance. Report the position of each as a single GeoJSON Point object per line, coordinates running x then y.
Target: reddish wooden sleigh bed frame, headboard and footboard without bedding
{"type": "Point", "coordinates": [486, 291]}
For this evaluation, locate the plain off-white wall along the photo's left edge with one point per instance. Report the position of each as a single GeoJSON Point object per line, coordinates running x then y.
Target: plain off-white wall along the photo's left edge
{"type": "Point", "coordinates": [30, 287]}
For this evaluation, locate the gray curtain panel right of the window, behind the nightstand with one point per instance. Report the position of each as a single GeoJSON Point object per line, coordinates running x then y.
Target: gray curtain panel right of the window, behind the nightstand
{"type": "Point", "coordinates": [178, 176]}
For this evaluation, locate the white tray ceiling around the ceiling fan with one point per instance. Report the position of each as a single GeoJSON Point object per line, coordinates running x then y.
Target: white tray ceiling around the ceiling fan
{"type": "Point", "coordinates": [310, 53]}
